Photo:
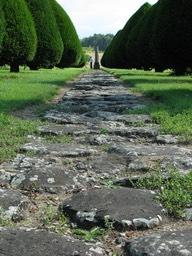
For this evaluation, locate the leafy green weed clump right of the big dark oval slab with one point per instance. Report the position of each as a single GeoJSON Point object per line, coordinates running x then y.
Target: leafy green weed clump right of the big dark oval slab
{"type": "Point", "coordinates": [173, 190]}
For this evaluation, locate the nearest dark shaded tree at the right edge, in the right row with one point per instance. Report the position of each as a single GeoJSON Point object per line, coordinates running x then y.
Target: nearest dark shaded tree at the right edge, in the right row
{"type": "Point", "coordinates": [173, 37]}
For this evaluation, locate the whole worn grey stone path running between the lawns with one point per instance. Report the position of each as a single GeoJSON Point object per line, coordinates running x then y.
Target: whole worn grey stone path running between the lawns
{"type": "Point", "coordinates": [101, 147]}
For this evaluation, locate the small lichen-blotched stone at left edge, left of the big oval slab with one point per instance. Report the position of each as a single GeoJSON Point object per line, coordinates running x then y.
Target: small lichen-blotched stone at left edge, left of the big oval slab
{"type": "Point", "coordinates": [13, 204]}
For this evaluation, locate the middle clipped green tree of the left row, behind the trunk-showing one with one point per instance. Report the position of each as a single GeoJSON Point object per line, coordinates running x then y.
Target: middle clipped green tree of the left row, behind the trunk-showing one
{"type": "Point", "coordinates": [50, 44]}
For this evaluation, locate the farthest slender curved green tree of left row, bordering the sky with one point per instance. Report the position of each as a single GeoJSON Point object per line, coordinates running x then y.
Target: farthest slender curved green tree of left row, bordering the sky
{"type": "Point", "coordinates": [72, 54]}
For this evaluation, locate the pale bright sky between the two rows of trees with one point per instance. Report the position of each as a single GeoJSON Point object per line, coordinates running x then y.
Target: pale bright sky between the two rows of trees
{"type": "Point", "coordinates": [100, 16]}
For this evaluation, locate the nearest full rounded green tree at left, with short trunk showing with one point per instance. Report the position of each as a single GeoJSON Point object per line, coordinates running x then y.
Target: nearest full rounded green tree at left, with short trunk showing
{"type": "Point", "coordinates": [20, 40]}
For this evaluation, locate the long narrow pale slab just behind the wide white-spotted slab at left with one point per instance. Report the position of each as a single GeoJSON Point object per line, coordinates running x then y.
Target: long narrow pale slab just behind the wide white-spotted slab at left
{"type": "Point", "coordinates": [58, 149]}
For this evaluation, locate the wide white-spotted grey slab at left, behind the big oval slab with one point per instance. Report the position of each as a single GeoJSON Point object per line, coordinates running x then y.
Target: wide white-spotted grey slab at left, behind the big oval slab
{"type": "Point", "coordinates": [51, 175]}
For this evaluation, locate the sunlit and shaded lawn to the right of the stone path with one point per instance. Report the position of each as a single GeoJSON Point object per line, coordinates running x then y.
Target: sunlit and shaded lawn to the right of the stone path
{"type": "Point", "coordinates": [172, 95]}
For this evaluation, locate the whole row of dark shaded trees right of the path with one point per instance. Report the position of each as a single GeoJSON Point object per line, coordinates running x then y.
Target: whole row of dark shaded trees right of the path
{"type": "Point", "coordinates": [155, 37]}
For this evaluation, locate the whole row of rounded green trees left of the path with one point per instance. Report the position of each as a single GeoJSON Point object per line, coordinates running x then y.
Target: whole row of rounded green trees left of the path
{"type": "Point", "coordinates": [38, 34]}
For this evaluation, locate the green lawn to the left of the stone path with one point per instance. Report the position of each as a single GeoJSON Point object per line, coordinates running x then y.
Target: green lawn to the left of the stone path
{"type": "Point", "coordinates": [21, 90]}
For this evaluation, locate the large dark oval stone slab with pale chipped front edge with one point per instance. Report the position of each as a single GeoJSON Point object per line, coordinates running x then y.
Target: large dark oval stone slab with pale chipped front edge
{"type": "Point", "coordinates": [127, 208]}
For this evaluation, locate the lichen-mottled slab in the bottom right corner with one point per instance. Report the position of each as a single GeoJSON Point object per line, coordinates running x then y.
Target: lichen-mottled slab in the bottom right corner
{"type": "Point", "coordinates": [161, 244]}
